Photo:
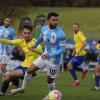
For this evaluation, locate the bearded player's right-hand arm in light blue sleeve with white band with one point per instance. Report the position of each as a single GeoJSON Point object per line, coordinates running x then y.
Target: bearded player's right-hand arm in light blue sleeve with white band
{"type": "Point", "coordinates": [61, 50]}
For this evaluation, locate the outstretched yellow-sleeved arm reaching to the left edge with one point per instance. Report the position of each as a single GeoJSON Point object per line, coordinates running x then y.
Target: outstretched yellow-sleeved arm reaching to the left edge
{"type": "Point", "coordinates": [13, 42]}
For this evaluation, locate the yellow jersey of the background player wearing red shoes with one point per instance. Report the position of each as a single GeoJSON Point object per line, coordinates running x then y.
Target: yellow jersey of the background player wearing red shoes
{"type": "Point", "coordinates": [79, 39]}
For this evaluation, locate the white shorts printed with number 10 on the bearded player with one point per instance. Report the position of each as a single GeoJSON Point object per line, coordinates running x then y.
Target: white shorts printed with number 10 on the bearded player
{"type": "Point", "coordinates": [51, 68]}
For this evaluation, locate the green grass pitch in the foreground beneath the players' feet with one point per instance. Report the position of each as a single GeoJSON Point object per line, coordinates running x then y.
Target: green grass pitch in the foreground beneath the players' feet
{"type": "Point", "coordinates": [38, 88]}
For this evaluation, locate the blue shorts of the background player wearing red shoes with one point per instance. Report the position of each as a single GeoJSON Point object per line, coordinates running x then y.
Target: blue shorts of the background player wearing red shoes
{"type": "Point", "coordinates": [77, 60]}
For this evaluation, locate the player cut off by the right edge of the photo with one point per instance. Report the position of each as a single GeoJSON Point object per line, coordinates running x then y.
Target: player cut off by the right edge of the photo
{"type": "Point", "coordinates": [97, 69]}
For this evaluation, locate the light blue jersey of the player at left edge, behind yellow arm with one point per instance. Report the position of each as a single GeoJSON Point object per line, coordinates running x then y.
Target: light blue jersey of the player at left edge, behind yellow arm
{"type": "Point", "coordinates": [7, 33]}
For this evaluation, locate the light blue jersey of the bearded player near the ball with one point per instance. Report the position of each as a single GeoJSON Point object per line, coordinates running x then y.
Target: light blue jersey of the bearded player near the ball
{"type": "Point", "coordinates": [54, 43]}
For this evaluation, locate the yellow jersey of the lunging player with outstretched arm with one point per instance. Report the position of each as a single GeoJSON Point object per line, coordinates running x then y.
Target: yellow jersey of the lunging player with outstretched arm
{"type": "Point", "coordinates": [30, 56]}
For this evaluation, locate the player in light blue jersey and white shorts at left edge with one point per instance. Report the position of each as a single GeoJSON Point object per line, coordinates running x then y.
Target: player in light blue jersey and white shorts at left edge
{"type": "Point", "coordinates": [7, 32]}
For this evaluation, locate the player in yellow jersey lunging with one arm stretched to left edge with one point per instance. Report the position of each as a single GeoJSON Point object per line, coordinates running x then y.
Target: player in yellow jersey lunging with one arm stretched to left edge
{"type": "Point", "coordinates": [24, 43]}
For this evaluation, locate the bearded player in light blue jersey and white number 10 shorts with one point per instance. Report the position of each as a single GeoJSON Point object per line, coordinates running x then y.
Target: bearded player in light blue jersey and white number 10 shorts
{"type": "Point", "coordinates": [54, 38]}
